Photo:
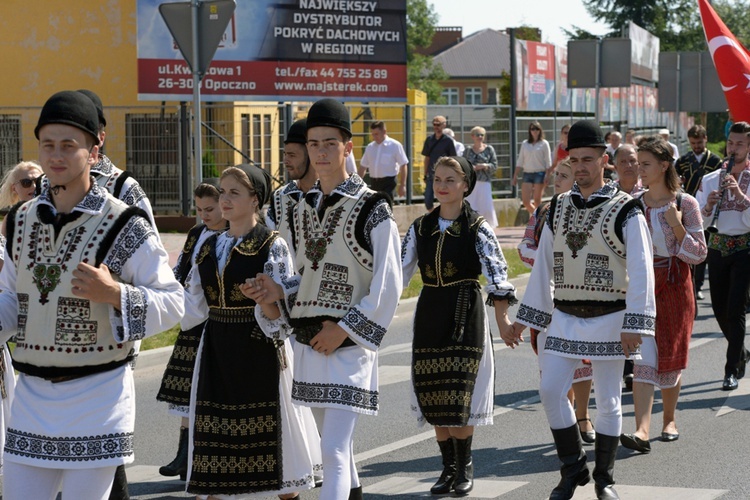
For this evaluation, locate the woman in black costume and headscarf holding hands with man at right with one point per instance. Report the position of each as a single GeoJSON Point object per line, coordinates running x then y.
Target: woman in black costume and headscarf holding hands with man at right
{"type": "Point", "coordinates": [452, 246]}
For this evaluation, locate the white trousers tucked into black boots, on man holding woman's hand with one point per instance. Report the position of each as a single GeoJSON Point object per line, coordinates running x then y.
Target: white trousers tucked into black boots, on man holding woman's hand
{"type": "Point", "coordinates": [557, 378]}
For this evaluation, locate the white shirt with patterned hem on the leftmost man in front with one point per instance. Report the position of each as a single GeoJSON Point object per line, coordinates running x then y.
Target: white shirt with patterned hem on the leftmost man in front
{"type": "Point", "coordinates": [88, 422]}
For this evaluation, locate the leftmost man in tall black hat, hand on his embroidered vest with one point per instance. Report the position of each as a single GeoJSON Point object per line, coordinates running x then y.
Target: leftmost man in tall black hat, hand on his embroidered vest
{"type": "Point", "coordinates": [85, 277]}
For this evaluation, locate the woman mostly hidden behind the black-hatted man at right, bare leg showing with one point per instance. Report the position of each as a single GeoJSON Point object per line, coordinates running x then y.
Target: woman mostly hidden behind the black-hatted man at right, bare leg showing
{"type": "Point", "coordinates": [581, 390]}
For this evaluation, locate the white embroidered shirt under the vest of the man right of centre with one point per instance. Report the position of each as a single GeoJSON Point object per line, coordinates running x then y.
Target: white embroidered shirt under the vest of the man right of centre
{"type": "Point", "coordinates": [597, 337]}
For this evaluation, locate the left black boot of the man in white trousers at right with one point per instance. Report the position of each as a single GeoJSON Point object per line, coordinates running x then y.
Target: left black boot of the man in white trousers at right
{"type": "Point", "coordinates": [573, 471]}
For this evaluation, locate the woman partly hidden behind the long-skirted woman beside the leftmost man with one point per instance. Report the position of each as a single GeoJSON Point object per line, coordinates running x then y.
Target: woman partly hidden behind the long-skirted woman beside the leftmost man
{"type": "Point", "coordinates": [178, 375]}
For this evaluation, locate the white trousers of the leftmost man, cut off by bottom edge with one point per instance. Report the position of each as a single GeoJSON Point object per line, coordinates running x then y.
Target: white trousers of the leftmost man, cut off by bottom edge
{"type": "Point", "coordinates": [25, 482]}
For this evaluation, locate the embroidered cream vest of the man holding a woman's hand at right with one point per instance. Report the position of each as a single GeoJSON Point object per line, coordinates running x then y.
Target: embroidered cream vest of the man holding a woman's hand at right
{"type": "Point", "coordinates": [586, 242]}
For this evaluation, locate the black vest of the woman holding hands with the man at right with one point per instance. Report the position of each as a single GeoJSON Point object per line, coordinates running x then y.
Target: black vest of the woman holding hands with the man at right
{"type": "Point", "coordinates": [448, 258]}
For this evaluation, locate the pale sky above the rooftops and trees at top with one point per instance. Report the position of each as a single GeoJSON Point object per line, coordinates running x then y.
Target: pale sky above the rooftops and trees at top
{"type": "Point", "coordinates": [548, 15]}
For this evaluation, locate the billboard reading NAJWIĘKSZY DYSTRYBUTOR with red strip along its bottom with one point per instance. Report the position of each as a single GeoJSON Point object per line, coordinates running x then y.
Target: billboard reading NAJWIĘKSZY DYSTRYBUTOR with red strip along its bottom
{"type": "Point", "coordinates": [353, 50]}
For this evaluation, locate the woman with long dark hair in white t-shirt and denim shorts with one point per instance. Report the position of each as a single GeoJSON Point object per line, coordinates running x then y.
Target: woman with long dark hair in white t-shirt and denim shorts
{"type": "Point", "coordinates": [535, 161]}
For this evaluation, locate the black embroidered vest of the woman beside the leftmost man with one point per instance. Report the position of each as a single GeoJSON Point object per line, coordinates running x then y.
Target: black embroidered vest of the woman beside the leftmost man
{"type": "Point", "coordinates": [225, 301]}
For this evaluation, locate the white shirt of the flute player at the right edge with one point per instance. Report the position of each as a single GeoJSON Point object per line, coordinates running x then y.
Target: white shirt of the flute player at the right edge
{"type": "Point", "coordinates": [734, 217]}
